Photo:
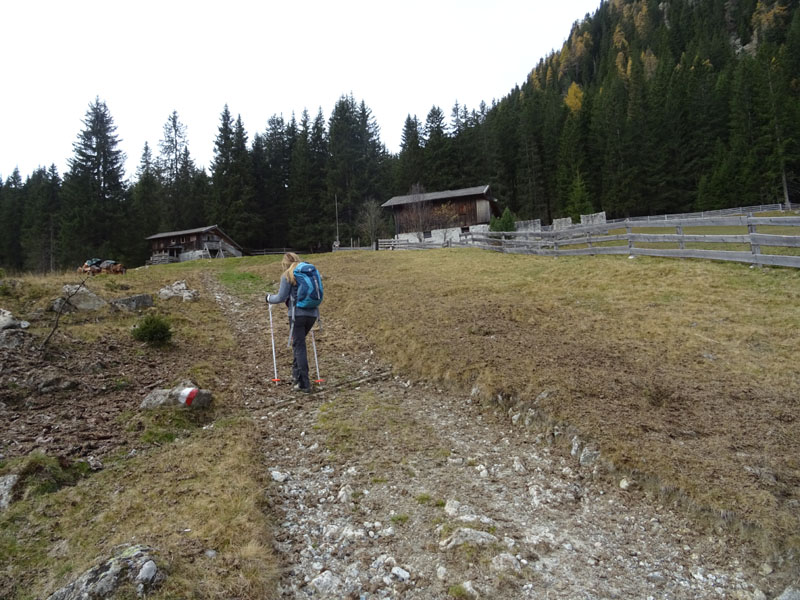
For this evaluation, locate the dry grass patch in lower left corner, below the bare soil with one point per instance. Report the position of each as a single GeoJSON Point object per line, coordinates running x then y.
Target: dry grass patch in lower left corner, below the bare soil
{"type": "Point", "coordinates": [202, 493]}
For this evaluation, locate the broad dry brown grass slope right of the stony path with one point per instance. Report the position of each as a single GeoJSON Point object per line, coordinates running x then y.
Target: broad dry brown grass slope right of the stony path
{"type": "Point", "coordinates": [682, 371]}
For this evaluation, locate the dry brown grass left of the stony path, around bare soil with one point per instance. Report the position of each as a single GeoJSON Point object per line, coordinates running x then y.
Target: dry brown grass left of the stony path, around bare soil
{"type": "Point", "coordinates": [204, 491]}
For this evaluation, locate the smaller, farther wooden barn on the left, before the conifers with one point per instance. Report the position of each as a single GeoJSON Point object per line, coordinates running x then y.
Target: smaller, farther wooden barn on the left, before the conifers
{"type": "Point", "coordinates": [191, 244]}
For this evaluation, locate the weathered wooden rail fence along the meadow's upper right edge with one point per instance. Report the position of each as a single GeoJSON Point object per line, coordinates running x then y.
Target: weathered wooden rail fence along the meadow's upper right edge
{"type": "Point", "coordinates": [747, 234]}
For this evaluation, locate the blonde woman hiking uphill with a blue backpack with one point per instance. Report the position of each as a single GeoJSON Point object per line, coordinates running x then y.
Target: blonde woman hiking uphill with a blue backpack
{"type": "Point", "coordinates": [301, 318]}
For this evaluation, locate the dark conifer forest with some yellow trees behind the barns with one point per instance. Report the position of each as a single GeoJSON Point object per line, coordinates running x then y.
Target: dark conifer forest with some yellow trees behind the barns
{"type": "Point", "coordinates": [649, 107]}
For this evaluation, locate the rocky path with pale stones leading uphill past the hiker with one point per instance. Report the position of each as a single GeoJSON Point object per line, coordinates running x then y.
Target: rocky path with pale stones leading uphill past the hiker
{"type": "Point", "coordinates": [388, 488]}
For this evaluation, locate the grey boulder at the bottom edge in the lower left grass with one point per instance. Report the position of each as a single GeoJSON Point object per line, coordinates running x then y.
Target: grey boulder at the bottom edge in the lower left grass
{"type": "Point", "coordinates": [133, 564]}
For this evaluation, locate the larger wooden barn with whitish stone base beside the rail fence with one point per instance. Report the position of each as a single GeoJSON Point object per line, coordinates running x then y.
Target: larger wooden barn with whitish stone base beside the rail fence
{"type": "Point", "coordinates": [443, 210]}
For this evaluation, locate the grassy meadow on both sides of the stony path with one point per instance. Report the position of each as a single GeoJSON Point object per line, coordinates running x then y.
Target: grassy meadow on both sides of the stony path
{"type": "Point", "coordinates": [683, 373]}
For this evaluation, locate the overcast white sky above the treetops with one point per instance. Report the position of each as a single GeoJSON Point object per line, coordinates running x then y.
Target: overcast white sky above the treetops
{"type": "Point", "coordinates": [148, 58]}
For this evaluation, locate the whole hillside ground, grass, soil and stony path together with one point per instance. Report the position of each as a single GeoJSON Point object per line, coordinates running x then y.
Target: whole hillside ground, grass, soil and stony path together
{"type": "Point", "coordinates": [464, 392]}
